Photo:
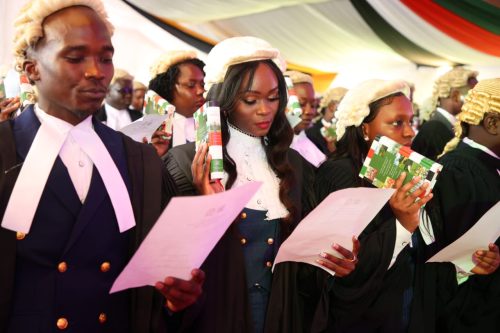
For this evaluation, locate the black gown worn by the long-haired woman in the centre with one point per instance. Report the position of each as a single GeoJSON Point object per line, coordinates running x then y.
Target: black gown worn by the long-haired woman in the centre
{"type": "Point", "coordinates": [223, 306]}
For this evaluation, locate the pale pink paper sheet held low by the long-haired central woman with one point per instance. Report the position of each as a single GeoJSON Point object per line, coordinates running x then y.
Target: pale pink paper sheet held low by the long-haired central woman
{"type": "Point", "coordinates": [336, 219]}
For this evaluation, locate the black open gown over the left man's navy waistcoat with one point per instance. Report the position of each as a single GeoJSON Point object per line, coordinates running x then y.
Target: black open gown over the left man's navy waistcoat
{"type": "Point", "coordinates": [151, 189]}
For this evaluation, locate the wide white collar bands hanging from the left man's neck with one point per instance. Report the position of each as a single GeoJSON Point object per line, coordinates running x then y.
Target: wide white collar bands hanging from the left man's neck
{"type": "Point", "coordinates": [39, 162]}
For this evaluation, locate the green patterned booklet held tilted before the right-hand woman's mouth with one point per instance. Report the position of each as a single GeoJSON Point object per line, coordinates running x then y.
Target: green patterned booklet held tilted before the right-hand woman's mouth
{"type": "Point", "coordinates": [387, 159]}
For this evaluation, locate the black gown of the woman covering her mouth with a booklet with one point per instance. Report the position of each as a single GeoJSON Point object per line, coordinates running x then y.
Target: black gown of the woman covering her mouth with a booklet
{"type": "Point", "coordinates": [371, 298]}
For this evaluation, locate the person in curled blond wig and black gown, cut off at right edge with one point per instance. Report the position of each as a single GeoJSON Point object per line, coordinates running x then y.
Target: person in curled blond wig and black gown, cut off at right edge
{"type": "Point", "coordinates": [468, 186]}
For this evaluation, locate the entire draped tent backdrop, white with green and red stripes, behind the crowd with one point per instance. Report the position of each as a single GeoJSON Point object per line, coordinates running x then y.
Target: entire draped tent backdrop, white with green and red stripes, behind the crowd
{"type": "Point", "coordinates": [349, 40]}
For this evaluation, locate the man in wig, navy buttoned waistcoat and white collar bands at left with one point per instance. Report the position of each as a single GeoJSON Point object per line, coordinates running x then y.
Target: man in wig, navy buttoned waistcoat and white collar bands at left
{"type": "Point", "coordinates": [63, 244]}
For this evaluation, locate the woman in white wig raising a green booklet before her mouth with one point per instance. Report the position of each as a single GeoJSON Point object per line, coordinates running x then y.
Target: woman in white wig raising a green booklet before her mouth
{"type": "Point", "coordinates": [391, 290]}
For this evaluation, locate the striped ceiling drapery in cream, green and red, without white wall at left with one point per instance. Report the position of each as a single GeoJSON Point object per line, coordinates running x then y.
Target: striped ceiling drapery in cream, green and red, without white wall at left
{"type": "Point", "coordinates": [334, 35]}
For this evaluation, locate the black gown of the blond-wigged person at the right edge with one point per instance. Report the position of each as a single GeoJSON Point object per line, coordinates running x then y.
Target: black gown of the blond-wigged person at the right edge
{"type": "Point", "coordinates": [468, 186]}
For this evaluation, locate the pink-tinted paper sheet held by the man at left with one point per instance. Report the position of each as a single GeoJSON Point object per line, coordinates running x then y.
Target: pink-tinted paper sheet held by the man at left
{"type": "Point", "coordinates": [184, 235]}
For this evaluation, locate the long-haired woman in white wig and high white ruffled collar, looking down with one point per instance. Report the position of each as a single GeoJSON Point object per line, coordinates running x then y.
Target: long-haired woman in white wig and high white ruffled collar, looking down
{"type": "Point", "coordinates": [243, 77]}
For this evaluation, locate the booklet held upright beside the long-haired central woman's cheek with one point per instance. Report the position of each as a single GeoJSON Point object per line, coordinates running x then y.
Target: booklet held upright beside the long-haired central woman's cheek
{"type": "Point", "coordinates": [207, 125]}
